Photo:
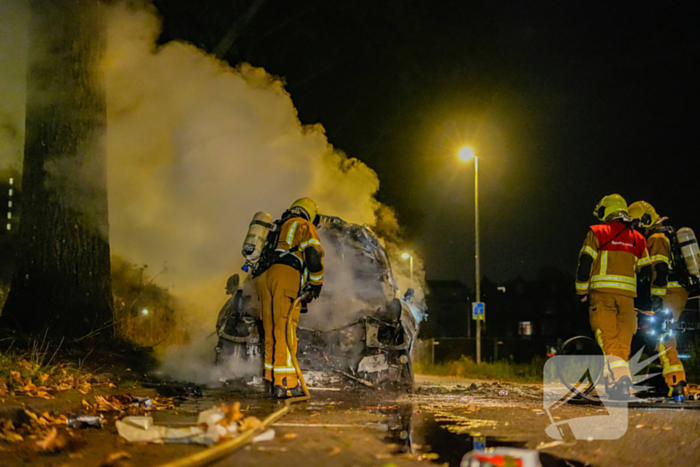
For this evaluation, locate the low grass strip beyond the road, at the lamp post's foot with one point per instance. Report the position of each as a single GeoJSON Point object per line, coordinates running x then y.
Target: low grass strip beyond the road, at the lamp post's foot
{"type": "Point", "coordinates": [501, 370]}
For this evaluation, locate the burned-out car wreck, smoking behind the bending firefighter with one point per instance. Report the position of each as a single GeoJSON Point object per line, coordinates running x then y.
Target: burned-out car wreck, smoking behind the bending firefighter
{"type": "Point", "coordinates": [359, 329]}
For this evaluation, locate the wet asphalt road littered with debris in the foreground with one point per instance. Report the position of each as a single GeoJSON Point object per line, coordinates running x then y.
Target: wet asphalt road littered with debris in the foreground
{"type": "Point", "coordinates": [436, 424]}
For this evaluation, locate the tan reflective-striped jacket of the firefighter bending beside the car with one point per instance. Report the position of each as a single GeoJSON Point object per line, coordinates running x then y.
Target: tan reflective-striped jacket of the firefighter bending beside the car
{"type": "Point", "coordinates": [298, 234]}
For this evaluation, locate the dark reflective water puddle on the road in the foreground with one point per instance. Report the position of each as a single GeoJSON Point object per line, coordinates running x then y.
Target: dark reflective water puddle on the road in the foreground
{"type": "Point", "coordinates": [421, 433]}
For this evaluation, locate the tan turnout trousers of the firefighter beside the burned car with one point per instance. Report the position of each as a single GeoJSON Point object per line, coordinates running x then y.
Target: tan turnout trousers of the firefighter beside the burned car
{"type": "Point", "coordinates": [278, 287]}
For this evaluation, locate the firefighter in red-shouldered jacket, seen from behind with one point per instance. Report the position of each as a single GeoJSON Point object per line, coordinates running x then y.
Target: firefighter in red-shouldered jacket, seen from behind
{"type": "Point", "coordinates": [612, 255]}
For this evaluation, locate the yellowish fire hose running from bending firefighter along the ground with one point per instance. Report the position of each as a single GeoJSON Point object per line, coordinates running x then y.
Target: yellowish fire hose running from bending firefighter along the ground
{"type": "Point", "coordinates": [210, 455]}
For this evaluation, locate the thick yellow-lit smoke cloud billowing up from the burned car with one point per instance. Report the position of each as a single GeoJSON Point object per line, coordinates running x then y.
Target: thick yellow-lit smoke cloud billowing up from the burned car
{"type": "Point", "coordinates": [194, 149]}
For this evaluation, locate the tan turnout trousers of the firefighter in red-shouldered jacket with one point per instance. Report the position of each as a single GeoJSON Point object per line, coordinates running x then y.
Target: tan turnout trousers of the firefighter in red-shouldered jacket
{"type": "Point", "coordinates": [614, 322]}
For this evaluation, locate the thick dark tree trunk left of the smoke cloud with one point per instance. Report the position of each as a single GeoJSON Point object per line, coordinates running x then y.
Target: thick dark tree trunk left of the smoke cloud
{"type": "Point", "coordinates": [62, 280]}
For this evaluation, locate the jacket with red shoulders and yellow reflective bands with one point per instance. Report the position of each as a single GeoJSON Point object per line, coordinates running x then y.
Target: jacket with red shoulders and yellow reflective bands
{"type": "Point", "coordinates": [618, 253]}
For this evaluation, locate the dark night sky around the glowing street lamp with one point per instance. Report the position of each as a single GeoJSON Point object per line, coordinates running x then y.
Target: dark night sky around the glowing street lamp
{"type": "Point", "coordinates": [563, 101]}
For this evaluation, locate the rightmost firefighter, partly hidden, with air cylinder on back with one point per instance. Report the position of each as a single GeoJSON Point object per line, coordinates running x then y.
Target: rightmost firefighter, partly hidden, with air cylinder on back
{"type": "Point", "coordinates": [666, 292]}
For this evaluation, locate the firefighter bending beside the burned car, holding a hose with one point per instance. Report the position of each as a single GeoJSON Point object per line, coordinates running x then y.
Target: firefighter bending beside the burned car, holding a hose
{"type": "Point", "coordinates": [297, 268]}
